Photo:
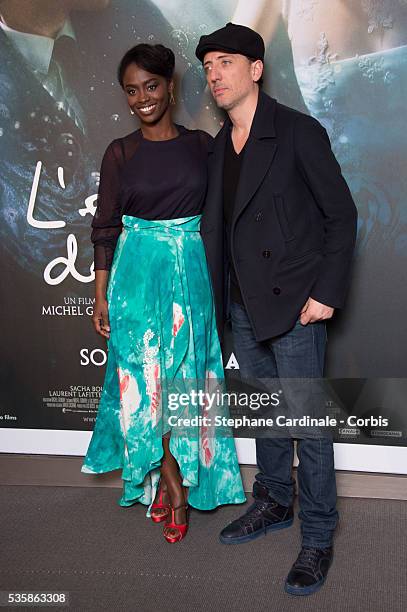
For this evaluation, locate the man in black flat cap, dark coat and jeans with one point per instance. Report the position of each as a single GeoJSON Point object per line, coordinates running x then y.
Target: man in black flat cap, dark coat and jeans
{"type": "Point", "coordinates": [281, 215]}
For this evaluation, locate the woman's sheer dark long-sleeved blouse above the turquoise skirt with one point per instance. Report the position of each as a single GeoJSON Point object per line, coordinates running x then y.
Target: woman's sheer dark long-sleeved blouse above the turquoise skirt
{"type": "Point", "coordinates": [150, 179]}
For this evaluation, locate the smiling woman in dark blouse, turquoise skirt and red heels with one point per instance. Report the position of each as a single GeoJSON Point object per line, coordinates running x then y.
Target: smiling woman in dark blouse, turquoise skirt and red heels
{"type": "Point", "coordinates": [156, 310]}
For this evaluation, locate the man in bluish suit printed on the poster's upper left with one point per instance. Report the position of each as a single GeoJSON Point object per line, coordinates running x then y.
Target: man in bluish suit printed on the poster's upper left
{"type": "Point", "coordinates": [45, 121]}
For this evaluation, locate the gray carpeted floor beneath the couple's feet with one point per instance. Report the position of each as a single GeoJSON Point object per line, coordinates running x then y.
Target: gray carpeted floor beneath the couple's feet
{"type": "Point", "coordinates": [112, 558]}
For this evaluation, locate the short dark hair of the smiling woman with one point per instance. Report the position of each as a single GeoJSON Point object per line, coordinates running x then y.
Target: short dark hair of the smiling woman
{"type": "Point", "coordinates": [156, 59]}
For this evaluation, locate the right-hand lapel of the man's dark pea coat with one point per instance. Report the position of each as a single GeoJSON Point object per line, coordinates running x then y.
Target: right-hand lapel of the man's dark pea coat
{"type": "Point", "coordinates": [260, 149]}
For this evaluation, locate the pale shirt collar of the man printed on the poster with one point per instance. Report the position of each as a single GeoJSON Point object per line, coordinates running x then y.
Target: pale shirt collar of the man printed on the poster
{"type": "Point", "coordinates": [36, 50]}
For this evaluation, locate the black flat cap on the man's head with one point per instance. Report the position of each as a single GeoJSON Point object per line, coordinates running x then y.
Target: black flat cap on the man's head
{"type": "Point", "coordinates": [232, 39]}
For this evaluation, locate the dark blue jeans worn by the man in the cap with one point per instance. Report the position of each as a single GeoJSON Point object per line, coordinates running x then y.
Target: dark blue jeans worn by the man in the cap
{"type": "Point", "coordinates": [298, 353]}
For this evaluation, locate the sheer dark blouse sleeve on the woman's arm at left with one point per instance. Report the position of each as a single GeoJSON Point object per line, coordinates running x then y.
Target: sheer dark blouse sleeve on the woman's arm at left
{"type": "Point", "coordinates": [107, 223]}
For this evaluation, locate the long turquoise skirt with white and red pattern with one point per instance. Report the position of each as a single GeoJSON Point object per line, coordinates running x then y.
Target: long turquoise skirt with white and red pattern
{"type": "Point", "coordinates": [163, 346]}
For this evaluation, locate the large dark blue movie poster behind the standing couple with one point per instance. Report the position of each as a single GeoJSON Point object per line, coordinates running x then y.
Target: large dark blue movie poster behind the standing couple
{"type": "Point", "coordinates": [59, 109]}
